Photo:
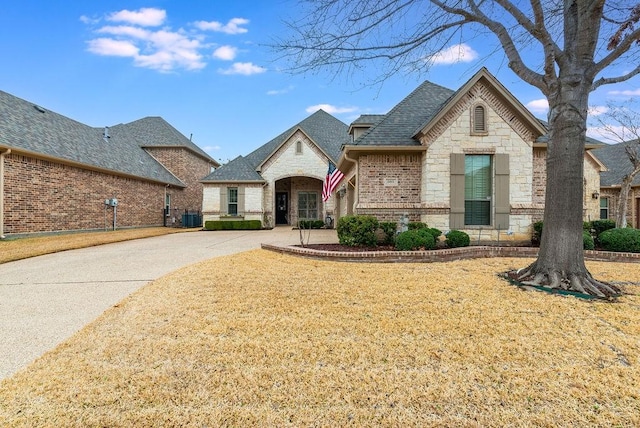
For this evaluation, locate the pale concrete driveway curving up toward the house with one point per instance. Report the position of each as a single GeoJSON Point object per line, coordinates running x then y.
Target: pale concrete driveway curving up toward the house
{"type": "Point", "coordinates": [44, 300]}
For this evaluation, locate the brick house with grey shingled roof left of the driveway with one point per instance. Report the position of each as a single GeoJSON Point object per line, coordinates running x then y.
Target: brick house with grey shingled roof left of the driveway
{"type": "Point", "coordinates": [57, 173]}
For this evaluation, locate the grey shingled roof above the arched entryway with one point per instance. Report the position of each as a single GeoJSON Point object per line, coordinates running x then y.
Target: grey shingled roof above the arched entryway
{"type": "Point", "coordinates": [327, 132]}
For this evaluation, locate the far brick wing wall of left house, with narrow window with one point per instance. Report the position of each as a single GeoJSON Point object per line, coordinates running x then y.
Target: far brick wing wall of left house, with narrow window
{"type": "Point", "coordinates": [190, 169]}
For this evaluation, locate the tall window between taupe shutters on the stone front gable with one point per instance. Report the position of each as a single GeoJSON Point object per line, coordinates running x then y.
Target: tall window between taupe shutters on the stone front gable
{"type": "Point", "coordinates": [477, 190]}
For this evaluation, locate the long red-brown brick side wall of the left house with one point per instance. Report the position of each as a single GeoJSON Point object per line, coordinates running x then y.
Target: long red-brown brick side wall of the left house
{"type": "Point", "coordinates": [43, 196]}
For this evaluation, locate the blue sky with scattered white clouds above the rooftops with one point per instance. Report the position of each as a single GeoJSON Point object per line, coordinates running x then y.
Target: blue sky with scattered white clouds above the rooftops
{"type": "Point", "coordinates": [204, 66]}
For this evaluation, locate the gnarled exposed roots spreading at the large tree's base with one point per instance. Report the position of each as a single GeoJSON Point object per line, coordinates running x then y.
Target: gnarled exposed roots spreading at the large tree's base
{"type": "Point", "coordinates": [580, 282]}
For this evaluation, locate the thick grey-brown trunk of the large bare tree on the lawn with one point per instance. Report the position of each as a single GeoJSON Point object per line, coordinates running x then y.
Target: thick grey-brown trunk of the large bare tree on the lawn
{"type": "Point", "coordinates": [560, 262]}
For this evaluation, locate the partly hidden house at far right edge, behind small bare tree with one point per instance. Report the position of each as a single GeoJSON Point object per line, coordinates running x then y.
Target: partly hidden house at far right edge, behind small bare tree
{"type": "Point", "coordinates": [617, 165]}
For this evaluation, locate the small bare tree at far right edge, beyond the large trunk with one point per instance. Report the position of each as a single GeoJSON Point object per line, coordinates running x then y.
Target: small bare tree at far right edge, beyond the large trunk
{"type": "Point", "coordinates": [623, 125]}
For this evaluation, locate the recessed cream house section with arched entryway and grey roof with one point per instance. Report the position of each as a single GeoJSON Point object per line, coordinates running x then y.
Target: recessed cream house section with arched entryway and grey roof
{"type": "Point", "coordinates": [281, 181]}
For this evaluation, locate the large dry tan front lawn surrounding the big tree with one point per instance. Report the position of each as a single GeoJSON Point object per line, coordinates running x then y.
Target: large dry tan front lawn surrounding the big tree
{"type": "Point", "coordinates": [263, 339]}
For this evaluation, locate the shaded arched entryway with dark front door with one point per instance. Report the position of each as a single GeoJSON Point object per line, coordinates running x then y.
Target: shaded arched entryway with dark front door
{"type": "Point", "coordinates": [298, 198]}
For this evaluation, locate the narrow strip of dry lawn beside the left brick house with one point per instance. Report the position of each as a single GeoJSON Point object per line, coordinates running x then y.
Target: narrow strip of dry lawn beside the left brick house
{"type": "Point", "coordinates": [22, 248]}
